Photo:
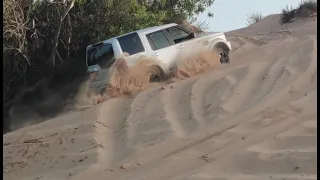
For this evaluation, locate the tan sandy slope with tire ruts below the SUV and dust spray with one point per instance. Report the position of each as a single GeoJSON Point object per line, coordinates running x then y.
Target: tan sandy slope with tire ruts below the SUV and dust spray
{"type": "Point", "coordinates": [252, 119]}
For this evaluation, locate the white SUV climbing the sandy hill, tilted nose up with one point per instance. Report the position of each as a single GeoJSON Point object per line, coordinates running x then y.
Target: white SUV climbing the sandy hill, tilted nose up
{"type": "Point", "coordinates": [166, 43]}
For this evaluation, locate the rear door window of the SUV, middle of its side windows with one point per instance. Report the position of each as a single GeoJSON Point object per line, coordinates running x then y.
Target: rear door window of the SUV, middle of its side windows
{"type": "Point", "coordinates": [158, 40]}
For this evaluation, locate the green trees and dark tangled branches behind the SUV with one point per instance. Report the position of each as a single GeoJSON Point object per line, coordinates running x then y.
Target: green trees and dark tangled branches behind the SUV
{"type": "Point", "coordinates": [46, 39]}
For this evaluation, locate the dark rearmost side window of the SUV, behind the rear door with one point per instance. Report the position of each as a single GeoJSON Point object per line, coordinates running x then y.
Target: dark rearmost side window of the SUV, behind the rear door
{"type": "Point", "coordinates": [131, 43]}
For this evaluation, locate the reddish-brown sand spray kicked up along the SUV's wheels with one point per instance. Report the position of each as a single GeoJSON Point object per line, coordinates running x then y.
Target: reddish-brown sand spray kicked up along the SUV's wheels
{"type": "Point", "coordinates": [124, 80]}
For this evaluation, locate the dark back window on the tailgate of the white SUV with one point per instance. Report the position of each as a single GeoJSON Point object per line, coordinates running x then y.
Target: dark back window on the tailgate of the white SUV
{"type": "Point", "coordinates": [100, 54]}
